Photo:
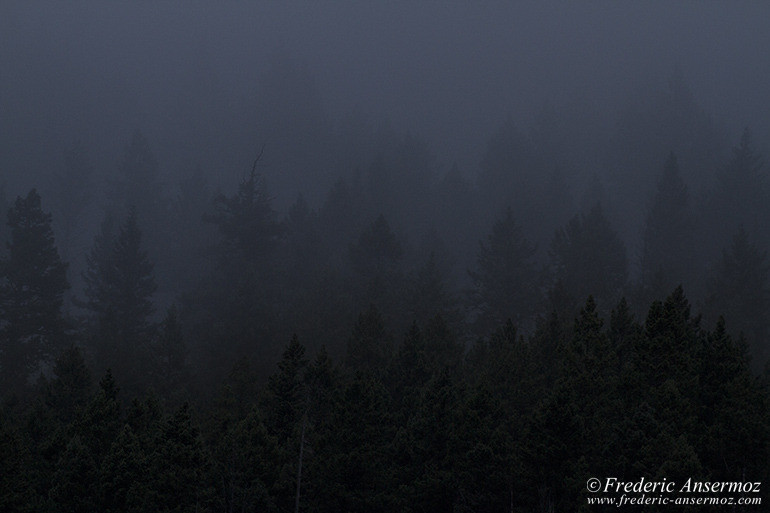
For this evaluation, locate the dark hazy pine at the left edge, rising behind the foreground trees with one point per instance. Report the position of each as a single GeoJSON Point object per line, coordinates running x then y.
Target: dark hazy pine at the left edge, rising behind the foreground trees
{"type": "Point", "coordinates": [33, 281]}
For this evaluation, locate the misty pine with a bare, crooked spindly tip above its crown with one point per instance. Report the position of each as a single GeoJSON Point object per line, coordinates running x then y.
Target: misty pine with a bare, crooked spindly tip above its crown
{"type": "Point", "coordinates": [239, 300]}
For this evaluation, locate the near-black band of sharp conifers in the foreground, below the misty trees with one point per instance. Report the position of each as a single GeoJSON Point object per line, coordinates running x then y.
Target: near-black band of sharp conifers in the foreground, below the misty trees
{"type": "Point", "coordinates": [428, 429]}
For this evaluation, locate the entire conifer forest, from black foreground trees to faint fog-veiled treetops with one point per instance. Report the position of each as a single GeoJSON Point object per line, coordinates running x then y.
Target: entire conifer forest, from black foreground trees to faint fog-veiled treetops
{"type": "Point", "coordinates": [452, 345]}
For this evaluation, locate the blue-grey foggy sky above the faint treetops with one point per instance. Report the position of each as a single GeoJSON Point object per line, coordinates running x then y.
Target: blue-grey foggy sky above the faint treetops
{"type": "Point", "coordinates": [196, 77]}
